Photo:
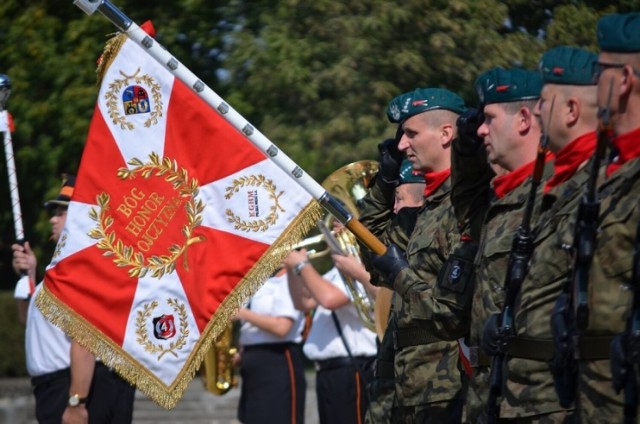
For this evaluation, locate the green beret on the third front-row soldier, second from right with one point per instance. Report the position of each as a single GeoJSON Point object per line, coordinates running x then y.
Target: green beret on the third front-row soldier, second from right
{"type": "Point", "coordinates": [568, 65]}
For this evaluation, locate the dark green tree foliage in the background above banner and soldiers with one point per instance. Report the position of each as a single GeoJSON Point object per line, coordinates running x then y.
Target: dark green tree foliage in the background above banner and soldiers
{"type": "Point", "coordinates": [314, 77]}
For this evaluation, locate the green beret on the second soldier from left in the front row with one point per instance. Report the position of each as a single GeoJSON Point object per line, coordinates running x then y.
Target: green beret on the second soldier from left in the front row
{"type": "Point", "coordinates": [500, 85]}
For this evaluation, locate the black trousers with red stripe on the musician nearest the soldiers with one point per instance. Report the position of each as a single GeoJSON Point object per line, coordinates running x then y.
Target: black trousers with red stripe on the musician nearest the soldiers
{"type": "Point", "coordinates": [341, 390]}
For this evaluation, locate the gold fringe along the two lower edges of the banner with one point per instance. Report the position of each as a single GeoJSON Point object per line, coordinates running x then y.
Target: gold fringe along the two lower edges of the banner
{"type": "Point", "coordinates": [115, 357]}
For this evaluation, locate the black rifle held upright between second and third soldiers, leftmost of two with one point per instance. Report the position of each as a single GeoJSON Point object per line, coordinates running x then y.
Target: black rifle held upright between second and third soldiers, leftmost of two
{"type": "Point", "coordinates": [521, 249]}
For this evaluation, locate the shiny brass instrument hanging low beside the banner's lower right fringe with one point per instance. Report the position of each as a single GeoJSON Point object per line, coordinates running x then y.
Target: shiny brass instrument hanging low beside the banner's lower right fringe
{"type": "Point", "coordinates": [217, 367]}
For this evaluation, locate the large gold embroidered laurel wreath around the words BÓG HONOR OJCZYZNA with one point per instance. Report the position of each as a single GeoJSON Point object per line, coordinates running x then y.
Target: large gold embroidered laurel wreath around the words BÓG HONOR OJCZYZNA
{"type": "Point", "coordinates": [126, 256]}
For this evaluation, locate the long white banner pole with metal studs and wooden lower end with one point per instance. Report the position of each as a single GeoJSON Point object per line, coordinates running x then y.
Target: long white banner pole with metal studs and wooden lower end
{"type": "Point", "coordinates": [163, 57]}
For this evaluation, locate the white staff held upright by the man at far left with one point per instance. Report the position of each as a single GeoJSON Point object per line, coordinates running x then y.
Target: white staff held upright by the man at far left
{"type": "Point", "coordinates": [22, 287]}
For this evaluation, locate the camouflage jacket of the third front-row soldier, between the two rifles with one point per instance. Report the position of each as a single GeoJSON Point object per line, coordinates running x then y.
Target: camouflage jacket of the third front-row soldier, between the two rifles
{"type": "Point", "coordinates": [530, 388]}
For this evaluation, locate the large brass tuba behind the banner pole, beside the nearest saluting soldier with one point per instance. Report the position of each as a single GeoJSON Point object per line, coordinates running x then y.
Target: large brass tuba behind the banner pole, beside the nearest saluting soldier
{"type": "Point", "coordinates": [349, 184]}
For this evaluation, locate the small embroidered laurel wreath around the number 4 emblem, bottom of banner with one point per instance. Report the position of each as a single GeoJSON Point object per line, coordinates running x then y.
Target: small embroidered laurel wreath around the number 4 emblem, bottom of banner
{"type": "Point", "coordinates": [143, 336]}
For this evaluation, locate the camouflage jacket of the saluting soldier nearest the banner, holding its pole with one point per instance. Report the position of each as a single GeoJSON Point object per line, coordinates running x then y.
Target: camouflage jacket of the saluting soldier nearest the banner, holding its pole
{"type": "Point", "coordinates": [426, 372]}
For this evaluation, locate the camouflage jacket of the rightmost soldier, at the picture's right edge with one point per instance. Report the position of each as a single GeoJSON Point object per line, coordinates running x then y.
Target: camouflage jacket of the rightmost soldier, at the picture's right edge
{"type": "Point", "coordinates": [610, 295]}
